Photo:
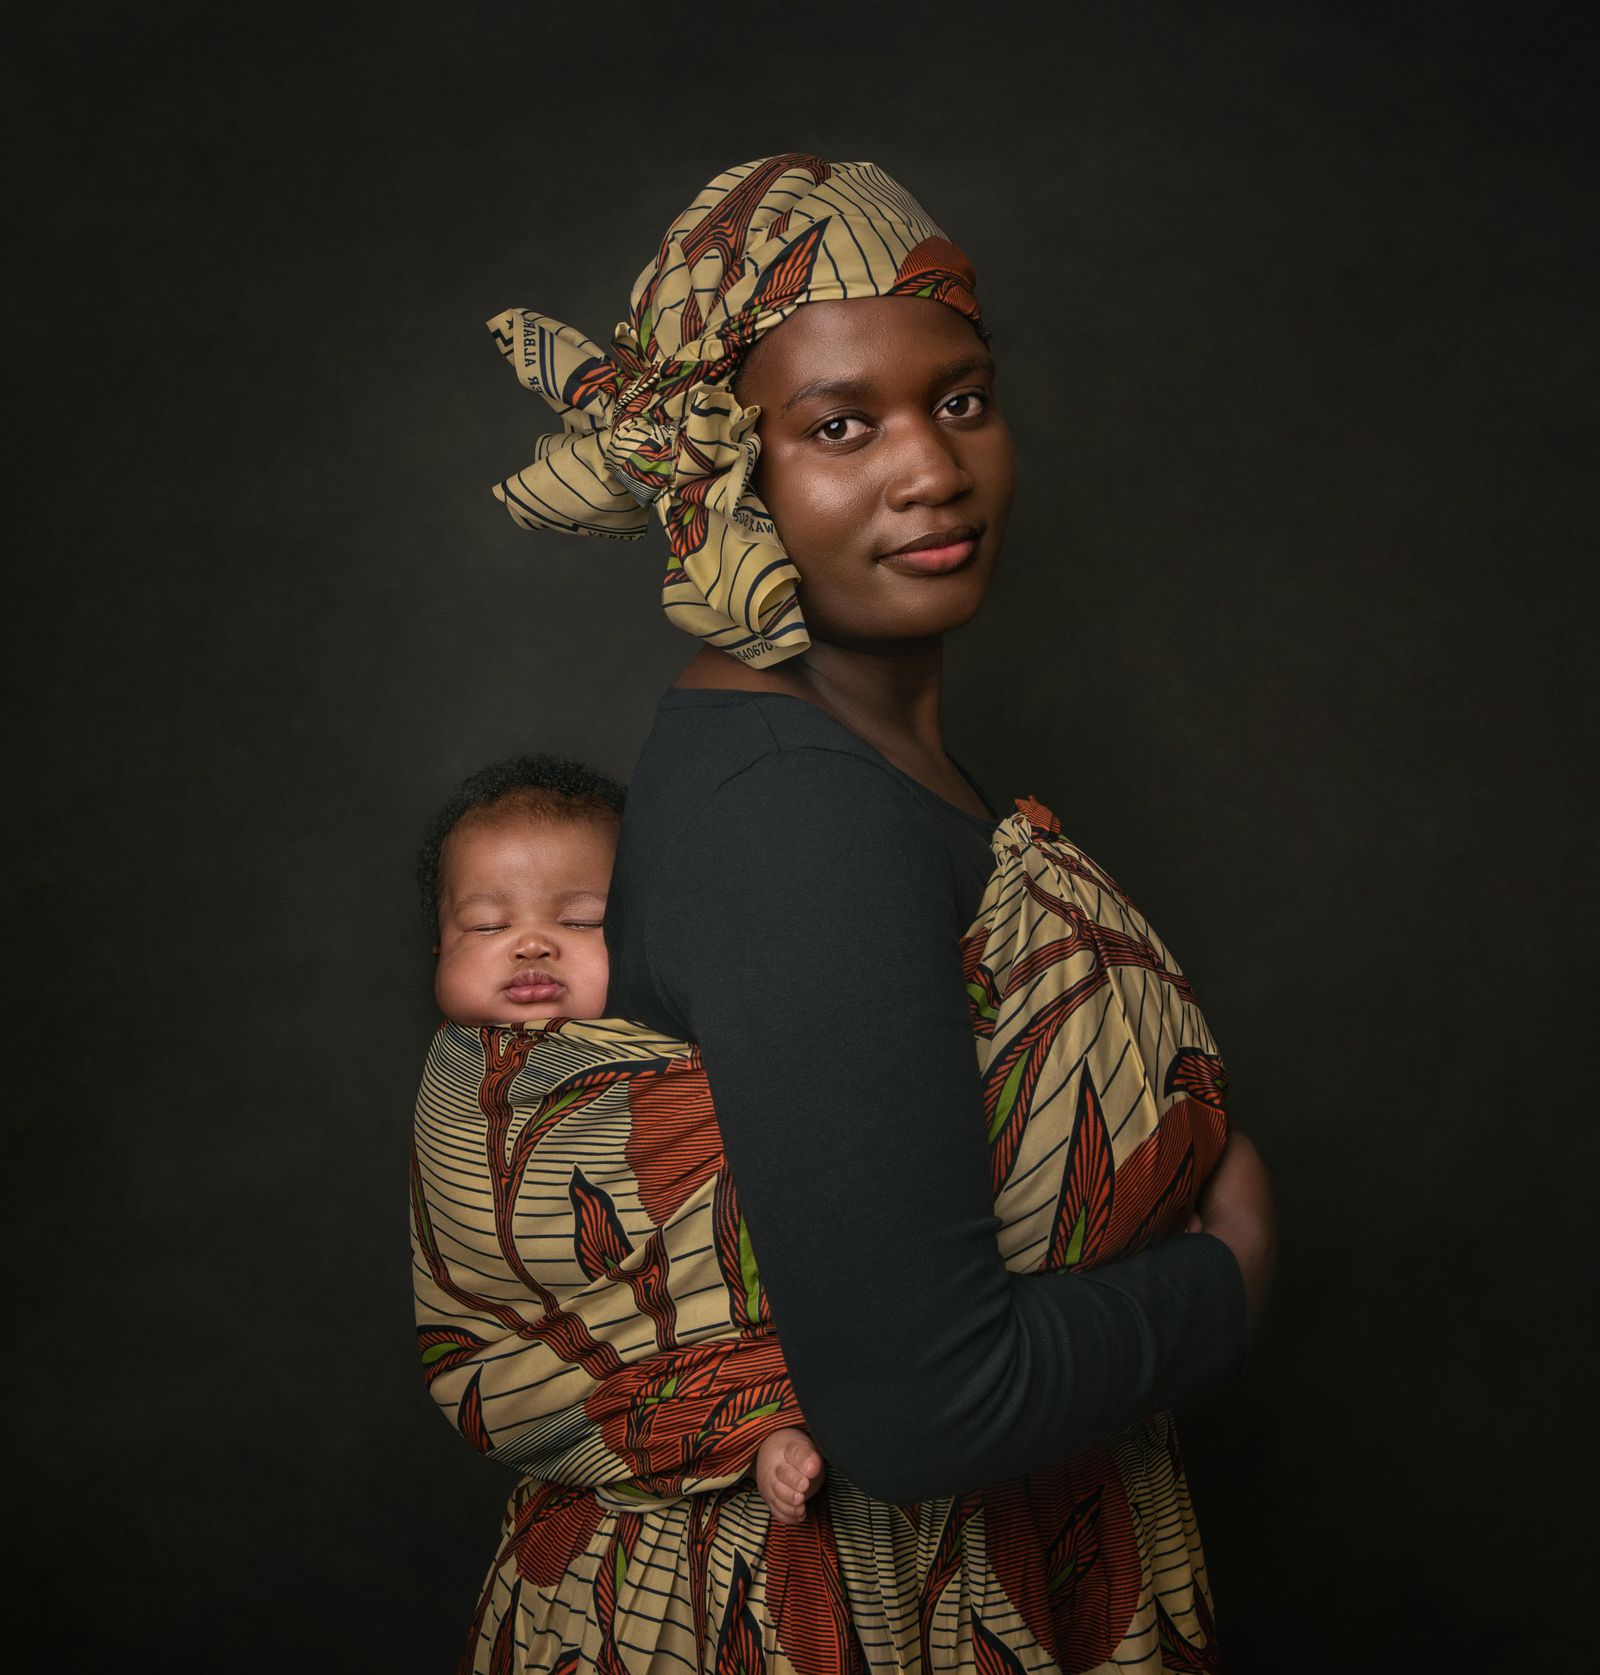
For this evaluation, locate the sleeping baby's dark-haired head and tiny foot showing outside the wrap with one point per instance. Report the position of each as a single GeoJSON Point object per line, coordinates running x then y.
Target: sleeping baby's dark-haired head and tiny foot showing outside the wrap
{"type": "Point", "coordinates": [515, 874]}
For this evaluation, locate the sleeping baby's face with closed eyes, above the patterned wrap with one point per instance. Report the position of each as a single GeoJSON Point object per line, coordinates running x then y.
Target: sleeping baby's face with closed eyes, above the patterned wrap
{"type": "Point", "coordinates": [520, 910]}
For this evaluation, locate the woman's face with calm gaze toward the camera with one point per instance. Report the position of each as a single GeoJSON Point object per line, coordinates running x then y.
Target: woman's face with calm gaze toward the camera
{"type": "Point", "coordinates": [884, 461]}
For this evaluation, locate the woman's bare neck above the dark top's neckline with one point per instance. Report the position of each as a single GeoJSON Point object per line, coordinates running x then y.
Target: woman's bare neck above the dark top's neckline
{"type": "Point", "coordinates": [887, 696]}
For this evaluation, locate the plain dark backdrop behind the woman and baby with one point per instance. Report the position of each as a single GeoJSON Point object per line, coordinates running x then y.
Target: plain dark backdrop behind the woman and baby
{"type": "Point", "coordinates": [1294, 311]}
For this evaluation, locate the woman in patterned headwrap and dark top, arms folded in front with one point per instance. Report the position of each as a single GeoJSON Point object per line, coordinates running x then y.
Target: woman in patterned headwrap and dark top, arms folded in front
{"type": "Point", "coordinates": [808, 890]}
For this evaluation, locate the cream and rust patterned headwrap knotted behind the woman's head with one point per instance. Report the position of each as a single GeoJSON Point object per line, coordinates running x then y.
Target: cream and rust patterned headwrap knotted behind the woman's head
{"type": "Point", "coordinates": [654, 423]}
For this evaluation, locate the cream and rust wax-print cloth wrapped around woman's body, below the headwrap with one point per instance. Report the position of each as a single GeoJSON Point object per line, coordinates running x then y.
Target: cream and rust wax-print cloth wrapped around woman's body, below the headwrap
{"type": "Point", "coordinates": [591, 1312]}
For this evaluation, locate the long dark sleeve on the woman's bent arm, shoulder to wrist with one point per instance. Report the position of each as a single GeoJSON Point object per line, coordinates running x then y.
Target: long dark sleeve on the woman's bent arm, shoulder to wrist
{"type": "Point", "coordinates": [807, 930]}
